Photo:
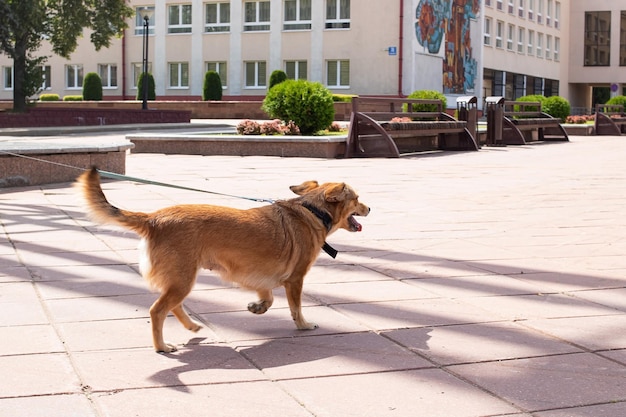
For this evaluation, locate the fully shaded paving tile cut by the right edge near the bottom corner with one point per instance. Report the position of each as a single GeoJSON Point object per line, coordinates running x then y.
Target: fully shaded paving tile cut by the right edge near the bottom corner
{"type": "Point", "coordinates": [550, 382]}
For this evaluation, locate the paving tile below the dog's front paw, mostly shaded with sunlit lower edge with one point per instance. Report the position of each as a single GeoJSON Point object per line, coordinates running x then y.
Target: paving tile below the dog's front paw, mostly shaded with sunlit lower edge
{"type": "Point", "coordinates": [314, 356]}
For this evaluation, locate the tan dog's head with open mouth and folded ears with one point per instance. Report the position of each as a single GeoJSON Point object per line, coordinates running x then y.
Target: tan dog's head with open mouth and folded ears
{"type": "Point", "coordinates": [339, 200]}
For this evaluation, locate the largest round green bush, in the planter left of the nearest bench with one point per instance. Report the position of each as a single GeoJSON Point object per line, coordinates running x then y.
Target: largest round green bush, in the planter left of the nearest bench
{"type": "Point", "coordinates": [308, 104]}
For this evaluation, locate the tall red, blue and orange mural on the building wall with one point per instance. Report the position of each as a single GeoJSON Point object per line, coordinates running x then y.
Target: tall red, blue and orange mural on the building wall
{"type": "Point", "coordinates": [446, 23]}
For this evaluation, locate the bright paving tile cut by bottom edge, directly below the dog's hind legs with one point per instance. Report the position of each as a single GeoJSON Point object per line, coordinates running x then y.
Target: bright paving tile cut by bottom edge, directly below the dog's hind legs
{"type": "Point", "coordinates": [262, 399]}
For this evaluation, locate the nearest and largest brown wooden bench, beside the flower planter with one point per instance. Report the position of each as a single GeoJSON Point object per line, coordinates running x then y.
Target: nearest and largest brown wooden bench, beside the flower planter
{"type": "Point", "coordinates": [390, 127]}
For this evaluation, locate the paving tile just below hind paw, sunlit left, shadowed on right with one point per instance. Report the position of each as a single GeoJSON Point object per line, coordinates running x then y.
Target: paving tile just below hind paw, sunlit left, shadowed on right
{"type": "Point", "coordinates": [140, 368]}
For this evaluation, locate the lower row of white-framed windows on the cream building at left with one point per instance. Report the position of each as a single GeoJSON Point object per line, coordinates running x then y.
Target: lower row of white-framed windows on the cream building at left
{"type": "Point", "coordinates": [255, 74]}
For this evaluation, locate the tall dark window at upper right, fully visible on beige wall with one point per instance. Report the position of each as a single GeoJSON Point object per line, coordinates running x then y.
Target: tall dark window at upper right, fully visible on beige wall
{"type": "Point", "coordinates": [597, 38]}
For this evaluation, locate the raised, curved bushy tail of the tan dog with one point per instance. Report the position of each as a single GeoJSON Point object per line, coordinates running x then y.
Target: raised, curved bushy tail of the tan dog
{"type": "Point", "coordinates": [101, 211]}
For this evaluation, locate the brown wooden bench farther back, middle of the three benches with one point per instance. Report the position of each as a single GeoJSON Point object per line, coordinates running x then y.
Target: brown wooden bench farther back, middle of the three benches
{"type": "Point", "coordinates": [520, 122]}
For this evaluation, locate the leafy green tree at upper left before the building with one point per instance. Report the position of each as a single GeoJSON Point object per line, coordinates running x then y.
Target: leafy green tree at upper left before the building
{"type": "Point", "coordinates": [25, 24]}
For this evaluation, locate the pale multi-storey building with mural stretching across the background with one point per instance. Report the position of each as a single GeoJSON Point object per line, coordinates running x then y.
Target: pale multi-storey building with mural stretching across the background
{"type": "Point", "coordinates": [368, 47]}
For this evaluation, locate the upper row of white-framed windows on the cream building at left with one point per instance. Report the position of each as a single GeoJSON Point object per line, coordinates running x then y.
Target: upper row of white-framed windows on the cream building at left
{"type": "Point", "coordinates": [256, 16]}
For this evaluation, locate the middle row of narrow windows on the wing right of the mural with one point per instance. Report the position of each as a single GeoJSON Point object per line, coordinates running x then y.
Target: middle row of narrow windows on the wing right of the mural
{"type": "Point", "coordinates": [523, 41]}
